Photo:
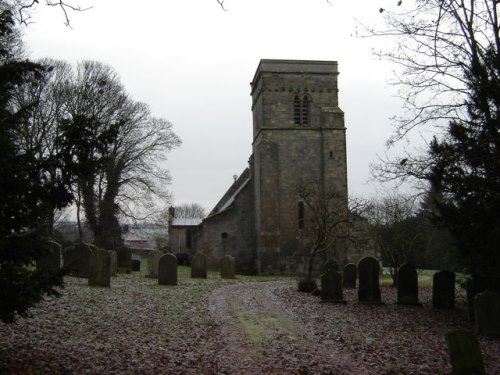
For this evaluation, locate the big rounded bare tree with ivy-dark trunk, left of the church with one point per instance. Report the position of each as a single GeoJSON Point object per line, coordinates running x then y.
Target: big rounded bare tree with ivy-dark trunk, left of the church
{"type": "Point", "coordinates": [118, 148]}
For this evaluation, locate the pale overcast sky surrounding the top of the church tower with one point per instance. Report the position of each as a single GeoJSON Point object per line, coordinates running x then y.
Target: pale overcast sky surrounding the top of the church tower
{"type": "Point", "coordinates": [192, 63]}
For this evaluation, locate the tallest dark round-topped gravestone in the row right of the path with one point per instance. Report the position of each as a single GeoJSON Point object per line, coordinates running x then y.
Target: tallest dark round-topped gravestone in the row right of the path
{"type": "Point", "coordinates": [368, 278]}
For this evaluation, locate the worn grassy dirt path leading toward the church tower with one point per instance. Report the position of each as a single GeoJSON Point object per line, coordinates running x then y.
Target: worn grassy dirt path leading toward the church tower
{"type": "Point", "coordinates": [260, 337]}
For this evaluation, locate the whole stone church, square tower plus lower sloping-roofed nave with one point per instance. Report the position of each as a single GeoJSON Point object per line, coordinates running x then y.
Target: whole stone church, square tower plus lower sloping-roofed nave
{"type": "Point", "coordinates": [298, 135]}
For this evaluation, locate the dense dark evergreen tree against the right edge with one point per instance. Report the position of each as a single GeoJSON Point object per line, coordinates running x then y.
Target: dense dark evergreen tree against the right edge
{"type": "Point", "coordinates": [466, 174]}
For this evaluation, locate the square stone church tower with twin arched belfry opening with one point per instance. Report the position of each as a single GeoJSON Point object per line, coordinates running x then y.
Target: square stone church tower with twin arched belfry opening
{"type": "Point", "coordinates": [298, 137]}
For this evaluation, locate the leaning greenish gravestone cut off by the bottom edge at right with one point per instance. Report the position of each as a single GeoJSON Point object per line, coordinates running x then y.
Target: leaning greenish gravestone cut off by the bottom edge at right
{"type": "Point", "coordinates": [465, 353]}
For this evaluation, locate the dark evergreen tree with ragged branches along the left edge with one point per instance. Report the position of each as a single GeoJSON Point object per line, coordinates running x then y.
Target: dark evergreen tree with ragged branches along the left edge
{"type": "Point", "coordinates": [24, 190]}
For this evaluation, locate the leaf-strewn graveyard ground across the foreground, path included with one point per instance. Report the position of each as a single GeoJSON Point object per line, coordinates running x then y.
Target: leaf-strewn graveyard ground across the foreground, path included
{"type": "Point", "coordinates": [251, 325]}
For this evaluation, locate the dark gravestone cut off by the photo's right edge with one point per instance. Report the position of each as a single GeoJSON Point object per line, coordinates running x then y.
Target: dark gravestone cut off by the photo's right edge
{"type": "Point", "coordinates": [487, 311]}
